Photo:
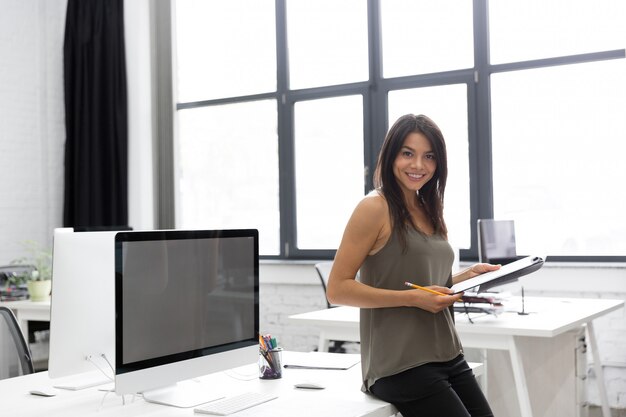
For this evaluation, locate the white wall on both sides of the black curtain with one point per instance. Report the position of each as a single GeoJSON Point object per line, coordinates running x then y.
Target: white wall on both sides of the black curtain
{"type": "Point", "coordinates": [32, 121]}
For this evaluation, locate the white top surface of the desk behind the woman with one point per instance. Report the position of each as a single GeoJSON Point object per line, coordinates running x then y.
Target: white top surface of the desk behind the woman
{"type": "Point", "coordinates": [548, 317]}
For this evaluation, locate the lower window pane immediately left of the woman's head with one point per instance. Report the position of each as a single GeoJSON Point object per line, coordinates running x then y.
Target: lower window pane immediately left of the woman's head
{"type": "Point", "coordinates": [329, 168]}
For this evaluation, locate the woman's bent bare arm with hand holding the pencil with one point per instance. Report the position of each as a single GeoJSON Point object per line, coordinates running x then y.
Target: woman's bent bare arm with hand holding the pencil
{"type": "Point", "coordinates": [367, 229]}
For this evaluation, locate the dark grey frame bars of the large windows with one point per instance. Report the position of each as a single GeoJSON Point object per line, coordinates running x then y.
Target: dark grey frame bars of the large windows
{"type": "Point", "coordinates": [374, 92]}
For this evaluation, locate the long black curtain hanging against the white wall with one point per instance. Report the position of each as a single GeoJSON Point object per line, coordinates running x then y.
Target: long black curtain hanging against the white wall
{"type": "Point", "coordinates": [96, 120]}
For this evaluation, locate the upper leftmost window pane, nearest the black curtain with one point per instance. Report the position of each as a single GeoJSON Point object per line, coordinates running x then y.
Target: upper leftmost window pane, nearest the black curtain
{"type": "Point", "coordinates": [210, 67]}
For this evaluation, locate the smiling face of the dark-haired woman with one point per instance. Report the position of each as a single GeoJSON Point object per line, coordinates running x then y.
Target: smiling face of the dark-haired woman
{"type": "Point", "coordinates": [415, 164]}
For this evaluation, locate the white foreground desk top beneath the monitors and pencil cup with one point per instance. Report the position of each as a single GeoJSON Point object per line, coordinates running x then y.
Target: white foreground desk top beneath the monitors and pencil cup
{"type": "Point", "coordinates": [342, 396]}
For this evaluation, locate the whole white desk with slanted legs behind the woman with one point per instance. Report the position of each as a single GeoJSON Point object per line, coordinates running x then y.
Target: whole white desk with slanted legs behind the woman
{"type": "Point", "coordinates": [548, 318]}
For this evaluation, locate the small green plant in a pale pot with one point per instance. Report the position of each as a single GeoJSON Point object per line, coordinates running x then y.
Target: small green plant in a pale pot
{"type": "Point", "coordinates": [38, 277]}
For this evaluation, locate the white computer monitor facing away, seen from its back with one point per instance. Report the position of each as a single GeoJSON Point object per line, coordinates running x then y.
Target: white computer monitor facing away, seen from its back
{"type": "Point", "coordinates": [82, 325]}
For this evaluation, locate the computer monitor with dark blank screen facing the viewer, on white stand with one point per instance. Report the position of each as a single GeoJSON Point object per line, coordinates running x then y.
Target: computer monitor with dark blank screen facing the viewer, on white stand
{"type": "Point", "coordinates": [186, 305]}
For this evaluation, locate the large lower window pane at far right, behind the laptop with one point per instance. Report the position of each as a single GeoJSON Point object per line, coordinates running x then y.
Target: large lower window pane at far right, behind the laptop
{"type": "Point", "coordinates": [559, 137]}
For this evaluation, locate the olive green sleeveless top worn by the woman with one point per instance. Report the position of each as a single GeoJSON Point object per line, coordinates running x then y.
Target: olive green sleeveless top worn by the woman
{"type": "Point", "coordinates": [399, 338]}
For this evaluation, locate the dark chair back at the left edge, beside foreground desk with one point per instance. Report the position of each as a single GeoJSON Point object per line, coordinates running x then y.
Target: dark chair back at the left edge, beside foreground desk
{"type": "Point", "coordinates": [15, 359]}
